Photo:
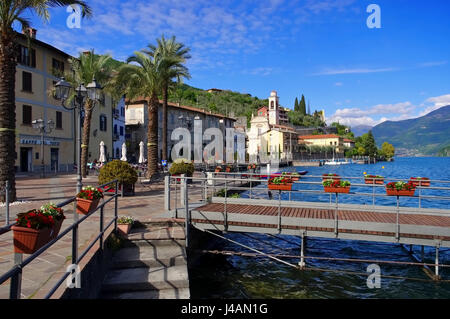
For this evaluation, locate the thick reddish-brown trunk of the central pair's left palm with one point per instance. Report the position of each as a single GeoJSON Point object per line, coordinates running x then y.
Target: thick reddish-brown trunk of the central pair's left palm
{"type": "Point", "coordinates": [152, 136]}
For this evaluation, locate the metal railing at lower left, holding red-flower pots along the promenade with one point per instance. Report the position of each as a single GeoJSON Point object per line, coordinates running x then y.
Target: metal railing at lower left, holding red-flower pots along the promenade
{"type": "Point", "coordinates": [15, 273]}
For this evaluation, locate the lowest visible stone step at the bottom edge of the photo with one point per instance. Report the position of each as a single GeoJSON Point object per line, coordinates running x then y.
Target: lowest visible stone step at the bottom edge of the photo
{"type": "Point", "coordinates": [181, 293]}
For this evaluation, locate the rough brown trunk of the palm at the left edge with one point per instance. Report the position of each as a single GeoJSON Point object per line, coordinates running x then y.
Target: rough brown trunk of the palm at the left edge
{"type": "Point", "coordinates": [8, 154]}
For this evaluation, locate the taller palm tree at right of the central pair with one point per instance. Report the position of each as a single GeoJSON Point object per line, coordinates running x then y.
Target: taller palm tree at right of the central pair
{"type": "Point", "coordinates": [175, 55]}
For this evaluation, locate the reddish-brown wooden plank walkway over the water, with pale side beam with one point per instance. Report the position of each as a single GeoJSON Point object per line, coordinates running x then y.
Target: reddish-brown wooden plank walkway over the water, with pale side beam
{"type": "Point", "coordinates": [427, 228]}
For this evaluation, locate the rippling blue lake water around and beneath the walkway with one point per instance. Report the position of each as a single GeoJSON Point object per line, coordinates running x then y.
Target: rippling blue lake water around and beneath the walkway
{"type": "Point", "coordinates": [217, 276]}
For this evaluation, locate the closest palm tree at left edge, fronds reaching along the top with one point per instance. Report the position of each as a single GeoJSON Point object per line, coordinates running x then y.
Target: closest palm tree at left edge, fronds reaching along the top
{"type": "Point", "coordinates": [13, 11]}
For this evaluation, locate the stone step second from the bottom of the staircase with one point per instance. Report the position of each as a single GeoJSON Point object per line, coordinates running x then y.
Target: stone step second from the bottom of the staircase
{"type": "Point", "coordinates": [144, 278]}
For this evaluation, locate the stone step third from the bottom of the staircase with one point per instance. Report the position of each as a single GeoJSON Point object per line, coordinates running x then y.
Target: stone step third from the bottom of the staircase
{"type": "Point", "coordinates": [149, 256]}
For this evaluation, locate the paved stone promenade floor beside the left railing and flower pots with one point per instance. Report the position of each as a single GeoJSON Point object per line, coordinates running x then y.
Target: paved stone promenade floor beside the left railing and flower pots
{"type": "Point", "coordinates": [44, 271]}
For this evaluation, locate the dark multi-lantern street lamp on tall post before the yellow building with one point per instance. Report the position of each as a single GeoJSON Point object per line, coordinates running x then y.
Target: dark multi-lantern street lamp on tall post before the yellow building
{"type": "Point", "coordinates": [63, 92]}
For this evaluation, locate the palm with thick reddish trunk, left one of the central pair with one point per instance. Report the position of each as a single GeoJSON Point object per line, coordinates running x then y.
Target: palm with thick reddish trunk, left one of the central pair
{"type": "Point", "coordinates": [142, 77]}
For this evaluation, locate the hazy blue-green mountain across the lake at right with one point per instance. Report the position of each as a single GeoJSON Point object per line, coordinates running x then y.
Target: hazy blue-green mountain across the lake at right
{"type": "Point", "coordinates": [426, 135]}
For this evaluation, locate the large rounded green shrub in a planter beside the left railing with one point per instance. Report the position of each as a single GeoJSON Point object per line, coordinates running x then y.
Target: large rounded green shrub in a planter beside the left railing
{"type": "Point", "coordinates": [122, 171]}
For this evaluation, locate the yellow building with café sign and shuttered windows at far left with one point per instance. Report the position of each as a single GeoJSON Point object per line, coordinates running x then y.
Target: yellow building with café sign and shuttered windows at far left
{"type": "Point", "coordinates": [38, 66]}
